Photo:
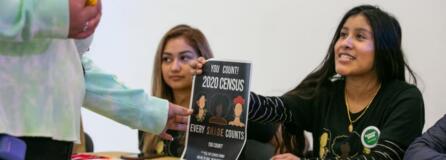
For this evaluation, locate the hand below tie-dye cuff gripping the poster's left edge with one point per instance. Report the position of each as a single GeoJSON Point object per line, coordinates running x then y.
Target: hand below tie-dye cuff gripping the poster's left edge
{"type": "Point", "coordinates": [177, 120]}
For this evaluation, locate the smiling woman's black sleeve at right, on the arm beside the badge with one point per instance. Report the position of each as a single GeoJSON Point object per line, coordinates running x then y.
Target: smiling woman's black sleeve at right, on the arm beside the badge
{"type": "Point", "coordinates": [402, 125]}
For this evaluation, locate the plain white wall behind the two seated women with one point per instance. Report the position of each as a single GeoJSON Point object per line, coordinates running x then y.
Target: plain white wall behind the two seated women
{"type": "Point", "coordinates": [284, 39]}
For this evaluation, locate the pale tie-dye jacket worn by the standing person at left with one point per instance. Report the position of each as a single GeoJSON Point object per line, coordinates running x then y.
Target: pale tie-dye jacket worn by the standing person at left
{"type": "Point", "coordinates": [42, 85]}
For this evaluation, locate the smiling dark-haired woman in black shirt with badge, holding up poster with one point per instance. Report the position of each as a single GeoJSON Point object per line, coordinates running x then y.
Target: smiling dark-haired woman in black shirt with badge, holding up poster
{"type": "Point", "coordinates": [357, 103]}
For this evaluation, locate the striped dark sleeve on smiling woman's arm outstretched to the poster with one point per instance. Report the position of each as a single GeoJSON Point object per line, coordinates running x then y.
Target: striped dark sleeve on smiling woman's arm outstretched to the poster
{"type": "Point", "coordinates": [287, 109]}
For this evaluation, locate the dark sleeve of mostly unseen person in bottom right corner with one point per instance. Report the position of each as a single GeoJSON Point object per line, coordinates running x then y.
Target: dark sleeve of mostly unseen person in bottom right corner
{"type": "Point", "coordinates": [431, 145]}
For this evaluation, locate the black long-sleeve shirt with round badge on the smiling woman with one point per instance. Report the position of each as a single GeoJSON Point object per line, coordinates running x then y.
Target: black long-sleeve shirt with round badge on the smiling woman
{"type": "Point", "coordinates": [397, 111]}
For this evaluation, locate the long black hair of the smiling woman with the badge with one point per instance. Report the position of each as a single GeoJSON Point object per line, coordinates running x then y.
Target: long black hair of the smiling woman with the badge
{"type": "Point", "coordinates": [389, 61]}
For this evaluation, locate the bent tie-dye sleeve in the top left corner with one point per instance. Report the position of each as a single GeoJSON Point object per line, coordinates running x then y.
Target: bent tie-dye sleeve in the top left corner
{"type": "Point", "coordinates": [23, 20]}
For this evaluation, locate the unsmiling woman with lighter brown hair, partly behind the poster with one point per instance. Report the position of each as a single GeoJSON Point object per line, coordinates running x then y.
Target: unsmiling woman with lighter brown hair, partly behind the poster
{"type": "Point", "coordinates": [172, 80]}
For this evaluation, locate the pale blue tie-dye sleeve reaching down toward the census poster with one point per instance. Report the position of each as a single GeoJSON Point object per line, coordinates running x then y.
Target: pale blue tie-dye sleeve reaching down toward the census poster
{"type": "Point", "coordinates": [131, 107]}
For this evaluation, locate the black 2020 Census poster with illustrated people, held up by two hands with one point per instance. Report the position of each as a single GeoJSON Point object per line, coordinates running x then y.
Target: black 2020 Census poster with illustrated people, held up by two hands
{"type": "Point", "coordinates": [217, 128]}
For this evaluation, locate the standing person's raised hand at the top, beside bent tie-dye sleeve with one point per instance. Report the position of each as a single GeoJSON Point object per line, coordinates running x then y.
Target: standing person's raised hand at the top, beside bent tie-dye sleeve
{"type": "Point", "coordinates": [84, 18]}
